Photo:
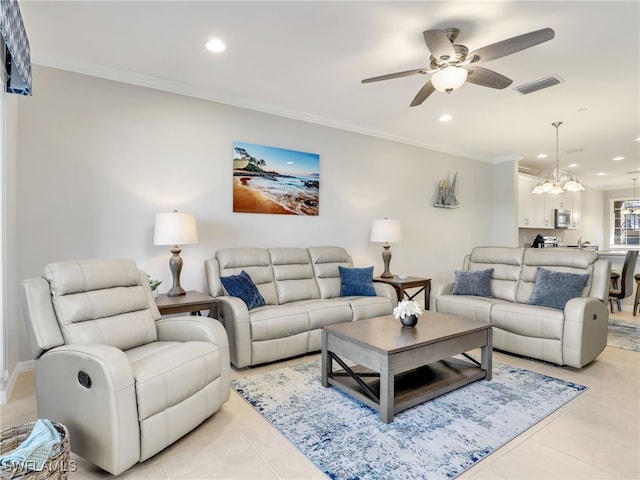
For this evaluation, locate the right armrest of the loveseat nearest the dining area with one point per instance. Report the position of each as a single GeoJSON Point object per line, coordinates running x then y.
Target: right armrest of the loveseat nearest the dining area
{"type": "Point", "coordinates": [586, 321]}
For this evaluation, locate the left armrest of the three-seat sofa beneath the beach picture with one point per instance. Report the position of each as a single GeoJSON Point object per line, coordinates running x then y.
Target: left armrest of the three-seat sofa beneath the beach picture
{"type": "Point", "coordinates": [234, 315]}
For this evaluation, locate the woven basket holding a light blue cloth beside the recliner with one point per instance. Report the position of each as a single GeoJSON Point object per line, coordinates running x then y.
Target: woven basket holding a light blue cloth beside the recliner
{"type": "Point", "coordinates": [55, 468]}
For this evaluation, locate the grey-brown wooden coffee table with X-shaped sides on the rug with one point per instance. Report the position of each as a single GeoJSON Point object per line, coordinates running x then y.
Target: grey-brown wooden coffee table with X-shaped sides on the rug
{"type": "Point", "coordinates": [397, 367]}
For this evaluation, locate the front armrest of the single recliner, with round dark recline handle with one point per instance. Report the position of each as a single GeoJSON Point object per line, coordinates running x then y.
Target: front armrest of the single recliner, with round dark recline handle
{"type": "Point", "coordinates": [102, 417]}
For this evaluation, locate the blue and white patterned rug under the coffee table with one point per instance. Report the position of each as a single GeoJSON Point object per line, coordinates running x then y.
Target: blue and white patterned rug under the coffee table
{"type": "Point", "coordinates": [440, 438]}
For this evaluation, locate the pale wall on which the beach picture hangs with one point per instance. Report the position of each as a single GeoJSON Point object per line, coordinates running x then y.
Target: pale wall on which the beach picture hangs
{"type": "Point", "coordinates": [98, 159]}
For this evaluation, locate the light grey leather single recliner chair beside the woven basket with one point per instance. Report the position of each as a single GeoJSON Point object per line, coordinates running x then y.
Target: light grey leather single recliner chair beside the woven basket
{"type": "Point", "coordinates": [126, 382]}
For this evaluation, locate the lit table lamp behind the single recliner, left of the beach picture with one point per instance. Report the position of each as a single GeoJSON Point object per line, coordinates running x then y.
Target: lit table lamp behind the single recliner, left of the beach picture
{"type": "Point", "coordinates": [175, 229]}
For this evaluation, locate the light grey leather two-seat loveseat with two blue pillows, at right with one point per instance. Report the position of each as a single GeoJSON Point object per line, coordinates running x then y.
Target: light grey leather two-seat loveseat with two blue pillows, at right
{"type": "Point", "coordinates": [574, 335]}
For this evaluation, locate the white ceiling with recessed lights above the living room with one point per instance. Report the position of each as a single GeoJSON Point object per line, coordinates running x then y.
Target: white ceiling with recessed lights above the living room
{"type": "Point", "coordinates": [306, 59]}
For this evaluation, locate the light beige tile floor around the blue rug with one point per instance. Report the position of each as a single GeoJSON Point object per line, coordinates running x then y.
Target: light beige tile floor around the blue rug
{"type": "Point", "coordinates": [596, 436]}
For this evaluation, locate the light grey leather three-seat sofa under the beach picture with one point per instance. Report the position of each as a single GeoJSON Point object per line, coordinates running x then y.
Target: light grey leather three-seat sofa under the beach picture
{"type": "Point", "coordinates": [301, 290]}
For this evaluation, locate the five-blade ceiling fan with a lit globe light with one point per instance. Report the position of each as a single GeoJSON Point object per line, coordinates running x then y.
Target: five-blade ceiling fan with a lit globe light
{"type": "Point", "coordinates": [452, 65]}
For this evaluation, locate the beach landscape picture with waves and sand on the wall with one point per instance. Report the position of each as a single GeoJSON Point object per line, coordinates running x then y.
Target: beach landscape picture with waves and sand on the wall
{"type": "Point", "coordinates": [275, 180]}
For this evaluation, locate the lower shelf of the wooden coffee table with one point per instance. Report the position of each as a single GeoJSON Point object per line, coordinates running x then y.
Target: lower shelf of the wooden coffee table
{"type": "Point", "coordinates": [410, 388]}
